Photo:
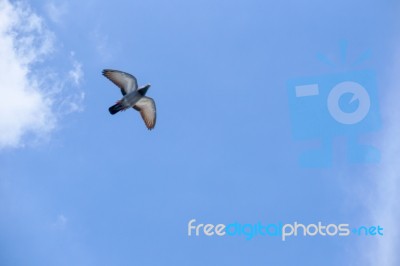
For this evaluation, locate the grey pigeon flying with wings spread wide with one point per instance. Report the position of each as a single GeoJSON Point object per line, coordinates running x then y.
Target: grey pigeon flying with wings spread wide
{"type": "Point", "coordinates": [133, 96]}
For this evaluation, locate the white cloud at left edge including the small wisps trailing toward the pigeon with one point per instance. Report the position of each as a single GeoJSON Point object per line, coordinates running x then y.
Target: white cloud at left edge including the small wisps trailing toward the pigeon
{"type": "Point", "coordinates": [28, 97]}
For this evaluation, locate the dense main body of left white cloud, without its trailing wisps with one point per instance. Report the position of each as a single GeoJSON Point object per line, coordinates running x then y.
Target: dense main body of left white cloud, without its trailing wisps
{"type": "Point", "coordinates": [23, 108]}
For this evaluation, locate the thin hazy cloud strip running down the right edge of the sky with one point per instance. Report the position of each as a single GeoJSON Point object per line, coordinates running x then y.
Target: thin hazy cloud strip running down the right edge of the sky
{"type": "Point", "coordinates": [384, 199]}
